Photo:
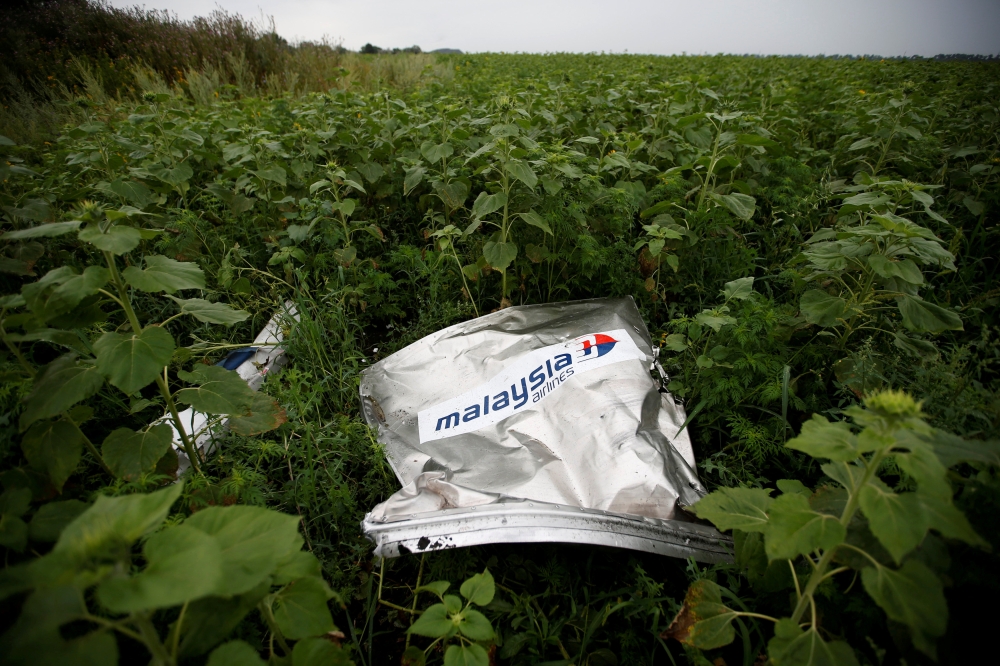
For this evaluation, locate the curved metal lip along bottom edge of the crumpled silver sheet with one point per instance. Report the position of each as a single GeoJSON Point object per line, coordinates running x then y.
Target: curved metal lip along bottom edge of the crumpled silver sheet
{"type": "Point", "coordinates": [524, 521]}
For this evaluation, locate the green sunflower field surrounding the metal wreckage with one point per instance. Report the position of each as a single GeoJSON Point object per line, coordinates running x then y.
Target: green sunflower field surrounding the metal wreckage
{"type": "Point", "coordinates": [813, 242]}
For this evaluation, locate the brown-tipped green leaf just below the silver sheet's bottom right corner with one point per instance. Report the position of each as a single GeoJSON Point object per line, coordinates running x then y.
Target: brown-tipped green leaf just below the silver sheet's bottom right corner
{"type": "Point", "coordinates": [704, 621]}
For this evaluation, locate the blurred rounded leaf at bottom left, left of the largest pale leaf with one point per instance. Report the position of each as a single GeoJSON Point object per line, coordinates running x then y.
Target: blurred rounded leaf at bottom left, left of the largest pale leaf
{"type": "Point", "coordinates": [182, 564]}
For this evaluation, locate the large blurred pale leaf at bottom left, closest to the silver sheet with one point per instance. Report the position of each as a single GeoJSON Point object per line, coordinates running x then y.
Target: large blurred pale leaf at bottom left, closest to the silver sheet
{"type": "Point", "coordinates": [254, 542]}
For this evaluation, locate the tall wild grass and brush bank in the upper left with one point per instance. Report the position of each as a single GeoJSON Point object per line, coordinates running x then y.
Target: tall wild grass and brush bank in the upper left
{"type": "Point", "coordinates": [60, 56]}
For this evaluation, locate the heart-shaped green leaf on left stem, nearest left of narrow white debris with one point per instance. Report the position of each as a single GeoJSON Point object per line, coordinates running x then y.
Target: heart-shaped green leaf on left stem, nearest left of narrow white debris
{"type": "Point", "coordinates": [132, 361]}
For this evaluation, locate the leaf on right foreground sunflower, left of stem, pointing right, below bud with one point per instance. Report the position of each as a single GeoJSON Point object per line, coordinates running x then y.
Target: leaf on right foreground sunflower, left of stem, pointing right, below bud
{"type": "Point", "coordinates": [795, 529]}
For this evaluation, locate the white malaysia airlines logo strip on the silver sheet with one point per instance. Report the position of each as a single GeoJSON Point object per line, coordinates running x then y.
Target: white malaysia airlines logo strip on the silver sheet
{"type": "Point", "coordinates": [529, 379]}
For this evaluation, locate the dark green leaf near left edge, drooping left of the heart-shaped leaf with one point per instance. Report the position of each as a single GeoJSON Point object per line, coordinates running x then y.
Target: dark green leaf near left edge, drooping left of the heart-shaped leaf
{"type": "Point", "coordinates": [60, 385]}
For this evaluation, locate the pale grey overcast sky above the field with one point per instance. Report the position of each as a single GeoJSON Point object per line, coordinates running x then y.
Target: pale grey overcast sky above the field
{"type": "Point", "coordinates": [812, 27]}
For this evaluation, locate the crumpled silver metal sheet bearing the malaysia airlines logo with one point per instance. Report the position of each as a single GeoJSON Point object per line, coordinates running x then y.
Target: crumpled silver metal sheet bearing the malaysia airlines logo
{"type": "Point", "coordinates": [532, 424]}
